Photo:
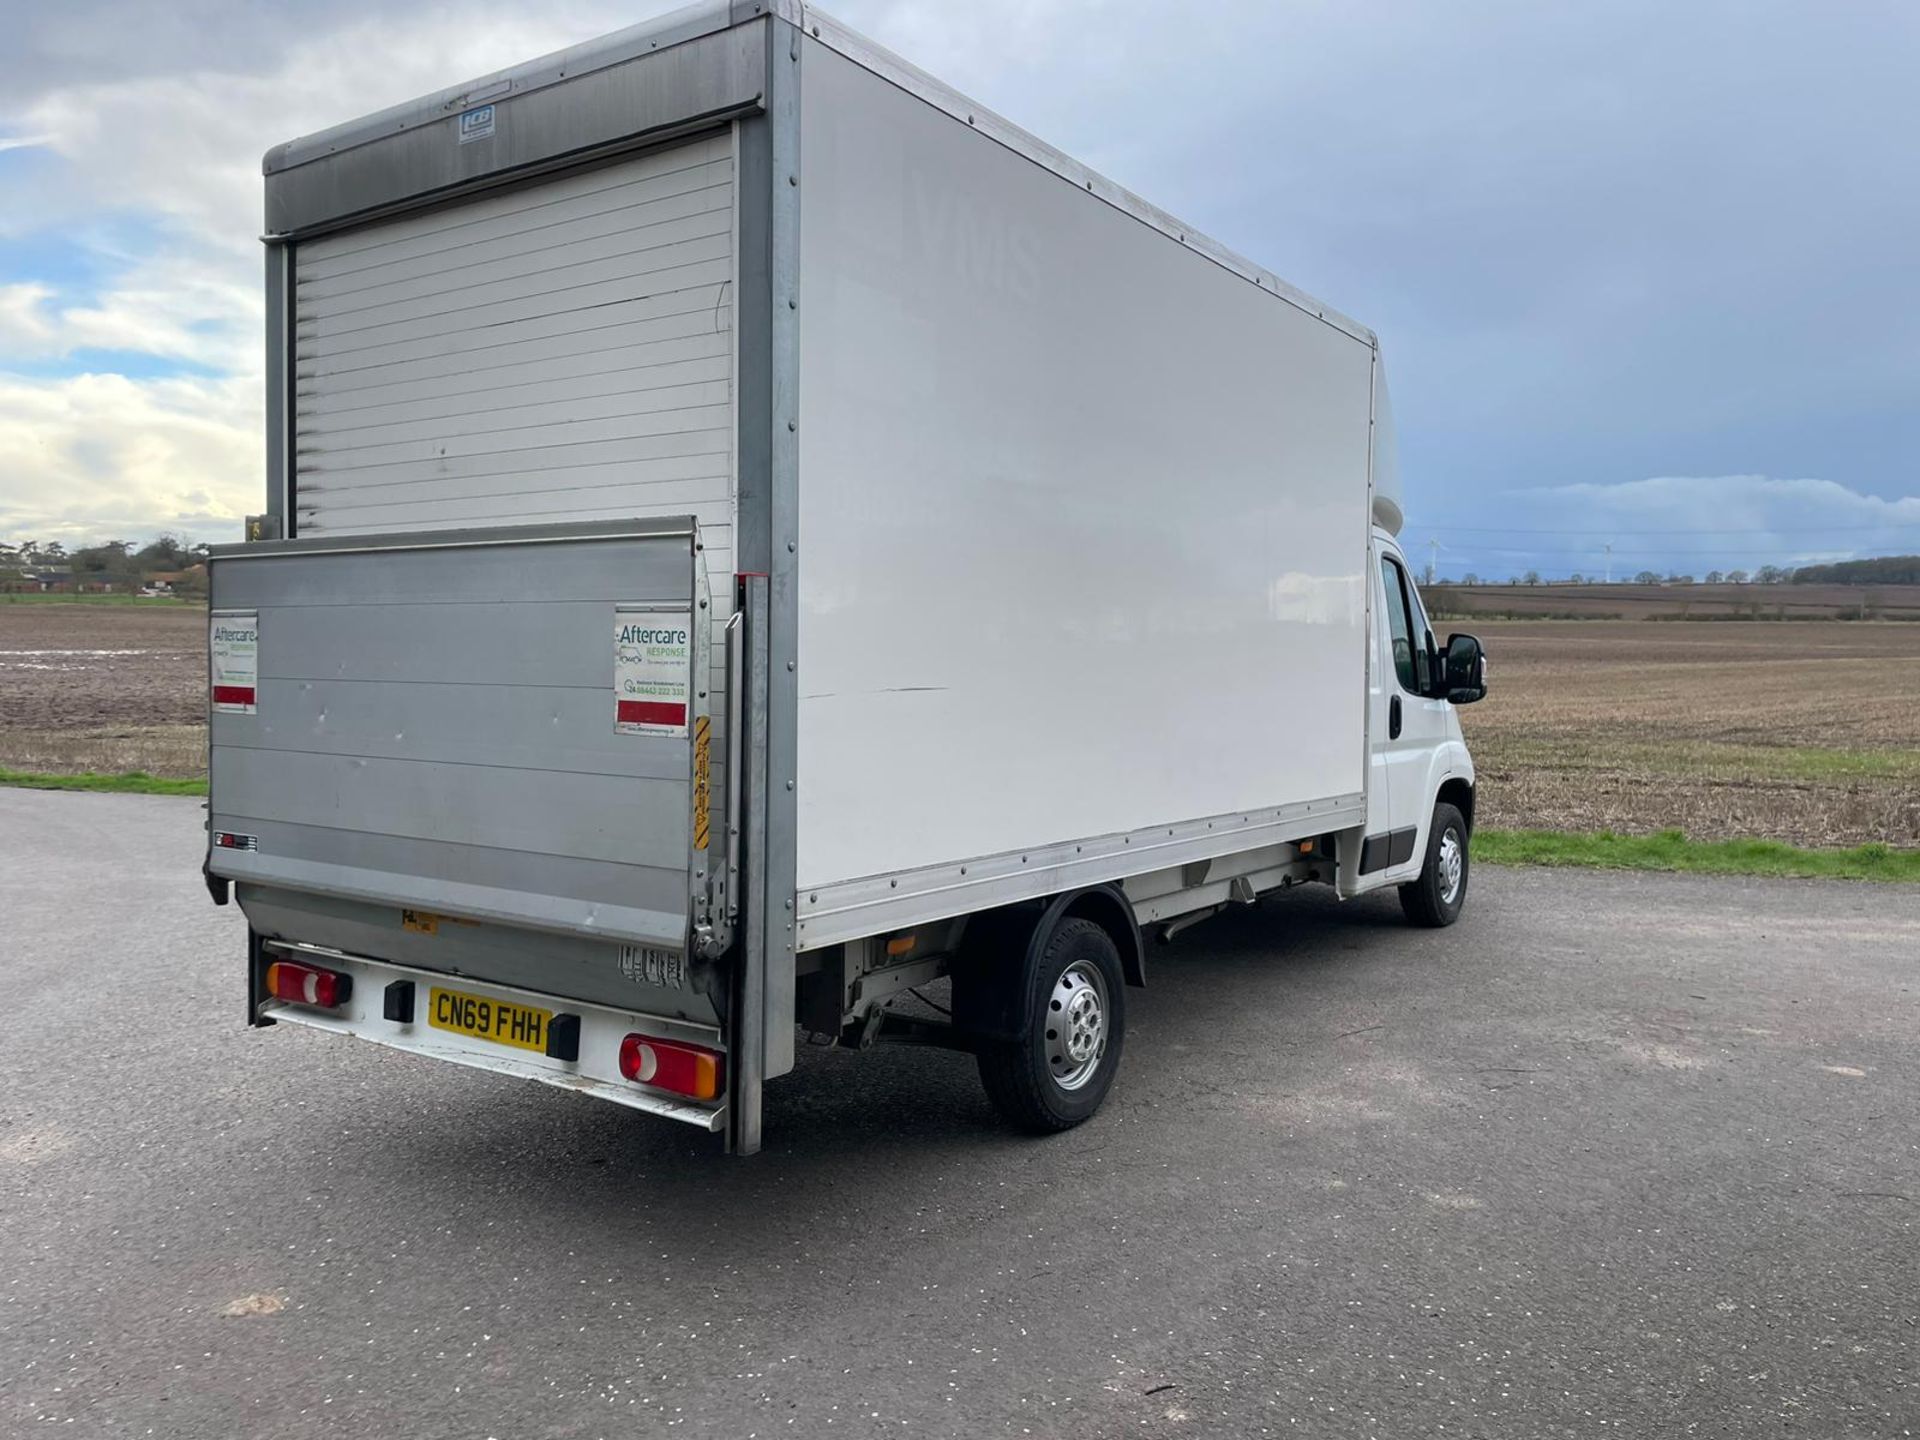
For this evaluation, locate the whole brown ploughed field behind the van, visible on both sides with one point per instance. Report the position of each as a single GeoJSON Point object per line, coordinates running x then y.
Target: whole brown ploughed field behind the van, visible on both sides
{"type": "Point", "coordinates": [1804, 732]}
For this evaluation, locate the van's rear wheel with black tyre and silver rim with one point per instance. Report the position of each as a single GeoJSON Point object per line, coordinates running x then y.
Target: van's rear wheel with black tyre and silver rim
{"type": "Point", "coordinates": [1061, 1070]}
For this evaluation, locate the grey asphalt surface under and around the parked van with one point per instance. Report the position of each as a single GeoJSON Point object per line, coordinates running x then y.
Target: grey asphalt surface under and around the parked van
{"type": "Point", "coordinates": [1620, 1155]}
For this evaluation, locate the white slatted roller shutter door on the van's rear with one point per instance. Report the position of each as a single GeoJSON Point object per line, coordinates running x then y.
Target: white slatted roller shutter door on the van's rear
{"type": "Point", "coordinates": [558, 352]}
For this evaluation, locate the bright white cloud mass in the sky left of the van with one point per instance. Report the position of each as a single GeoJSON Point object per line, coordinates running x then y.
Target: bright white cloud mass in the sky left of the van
{"type": "Point", "coordinates": [99, 456]}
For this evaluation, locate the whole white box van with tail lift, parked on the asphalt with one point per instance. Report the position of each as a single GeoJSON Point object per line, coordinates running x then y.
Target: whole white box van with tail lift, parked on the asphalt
{"type": "Point", "coordinates": [752, 533]}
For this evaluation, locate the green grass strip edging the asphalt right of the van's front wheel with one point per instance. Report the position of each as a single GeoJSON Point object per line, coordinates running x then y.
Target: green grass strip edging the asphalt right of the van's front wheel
{"type": "Point", "coordinates": [1671, 850]}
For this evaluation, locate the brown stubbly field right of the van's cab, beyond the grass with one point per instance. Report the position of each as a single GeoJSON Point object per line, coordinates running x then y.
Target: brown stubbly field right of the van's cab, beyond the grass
{"type": "Point", "coordinates": [1804, 732]}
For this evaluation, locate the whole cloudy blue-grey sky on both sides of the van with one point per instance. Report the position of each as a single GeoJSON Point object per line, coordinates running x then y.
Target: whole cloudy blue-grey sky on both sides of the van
{"type": "Point", "coordinates": [1644, 274]}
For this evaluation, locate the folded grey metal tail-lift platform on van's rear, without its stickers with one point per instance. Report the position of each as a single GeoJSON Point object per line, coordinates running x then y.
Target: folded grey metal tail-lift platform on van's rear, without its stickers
{"type": "Point", "coordinates": [437, 731]}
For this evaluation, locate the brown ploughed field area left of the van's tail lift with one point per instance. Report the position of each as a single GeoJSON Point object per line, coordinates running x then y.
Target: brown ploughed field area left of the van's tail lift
{"type": "Point", "coordinates": [110, 688]}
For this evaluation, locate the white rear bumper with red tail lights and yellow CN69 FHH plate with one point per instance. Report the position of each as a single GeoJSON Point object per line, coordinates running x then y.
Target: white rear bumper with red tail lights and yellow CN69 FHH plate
{"type": "Point", "coordinates": [627, 1057]}
